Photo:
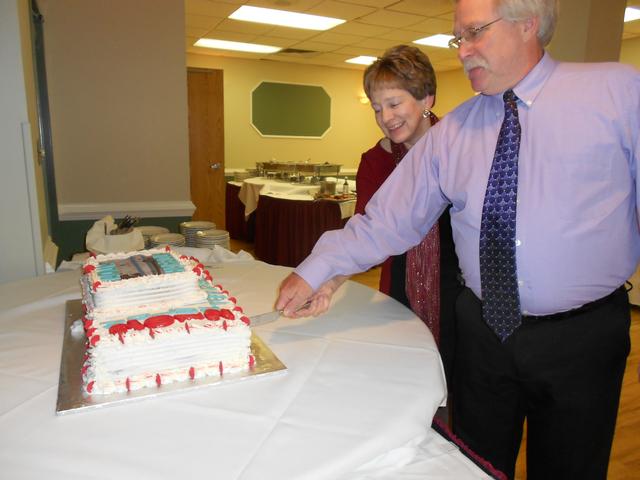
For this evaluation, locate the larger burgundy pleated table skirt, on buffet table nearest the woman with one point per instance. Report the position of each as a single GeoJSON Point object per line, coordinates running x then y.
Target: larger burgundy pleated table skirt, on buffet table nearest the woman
{"type": "Point", "coordinates": [287, 230]}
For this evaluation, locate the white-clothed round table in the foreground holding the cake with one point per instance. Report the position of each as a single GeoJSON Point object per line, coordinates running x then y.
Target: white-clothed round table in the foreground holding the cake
{"type": "Point", "coordinates": [362, 384]}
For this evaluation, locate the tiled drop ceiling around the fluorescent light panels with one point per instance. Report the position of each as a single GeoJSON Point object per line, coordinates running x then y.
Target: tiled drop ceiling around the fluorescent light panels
{"type": "Point", "coordinates": [372, 26]}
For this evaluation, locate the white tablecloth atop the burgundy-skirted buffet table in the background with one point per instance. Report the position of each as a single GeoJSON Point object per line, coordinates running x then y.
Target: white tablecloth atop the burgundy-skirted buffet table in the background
{"type": "Point", "coordinates": [252, 188]}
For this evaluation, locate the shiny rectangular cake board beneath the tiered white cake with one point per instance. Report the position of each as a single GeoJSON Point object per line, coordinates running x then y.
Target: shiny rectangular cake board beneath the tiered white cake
{"type": "Point", "coordinates": [72, 398]}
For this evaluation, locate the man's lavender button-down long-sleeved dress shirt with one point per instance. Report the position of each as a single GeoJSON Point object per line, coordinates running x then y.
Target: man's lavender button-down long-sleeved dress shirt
{"type": "Point", "coordinates": [577, 227]}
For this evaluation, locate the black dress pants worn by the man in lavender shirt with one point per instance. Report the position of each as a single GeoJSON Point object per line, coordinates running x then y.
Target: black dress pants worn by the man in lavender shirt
{"type": "Point", "coordinates": [564, 375]}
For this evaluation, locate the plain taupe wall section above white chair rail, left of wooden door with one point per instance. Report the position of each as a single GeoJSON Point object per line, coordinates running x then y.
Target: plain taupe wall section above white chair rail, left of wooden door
{"type": "Point", "coordinates": [117, 85]}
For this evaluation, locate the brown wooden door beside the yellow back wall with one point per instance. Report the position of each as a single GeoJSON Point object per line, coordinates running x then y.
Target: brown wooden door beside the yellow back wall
{"type": "Point", "coordinates": [206, 144]}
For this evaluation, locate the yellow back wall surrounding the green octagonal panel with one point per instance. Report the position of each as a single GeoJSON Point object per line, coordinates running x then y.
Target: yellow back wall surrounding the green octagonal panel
{"type": "Point", "coordinates": [353, 128]}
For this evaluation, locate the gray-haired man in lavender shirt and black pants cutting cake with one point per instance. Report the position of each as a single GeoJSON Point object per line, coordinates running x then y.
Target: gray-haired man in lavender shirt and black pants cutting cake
{"type": "Point", "coordinates": [577, 240]}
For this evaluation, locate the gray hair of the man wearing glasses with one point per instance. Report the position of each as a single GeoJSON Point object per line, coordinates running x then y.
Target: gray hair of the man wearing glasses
{"type": "Point", "coordinates": [518, 10]}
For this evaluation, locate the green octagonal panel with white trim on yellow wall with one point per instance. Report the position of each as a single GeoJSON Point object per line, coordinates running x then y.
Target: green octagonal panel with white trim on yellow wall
{"type": "Point", "coordinates": [290, 110]}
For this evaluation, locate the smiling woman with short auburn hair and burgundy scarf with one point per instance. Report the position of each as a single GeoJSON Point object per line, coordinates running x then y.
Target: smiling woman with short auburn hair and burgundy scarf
{"type": "Point", "coordinates": [401, 86]}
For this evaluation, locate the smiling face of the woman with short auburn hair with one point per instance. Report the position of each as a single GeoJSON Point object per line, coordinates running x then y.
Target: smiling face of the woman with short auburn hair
{"type": "Point", "coordinates": [399, 114]}
